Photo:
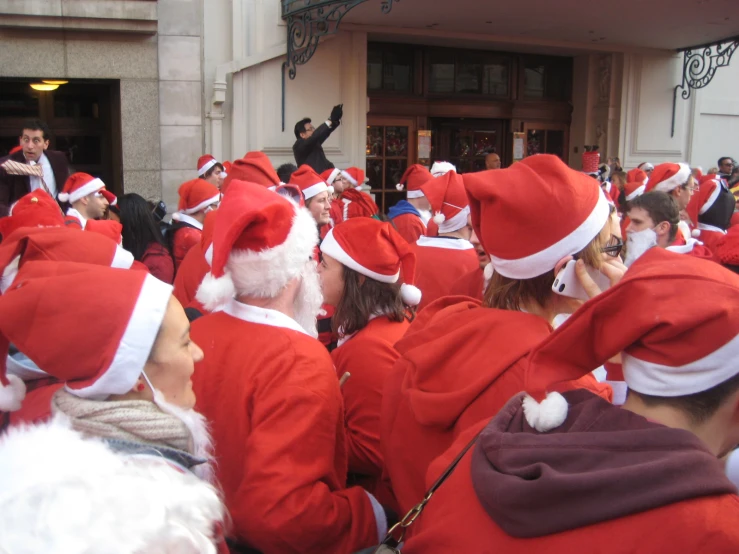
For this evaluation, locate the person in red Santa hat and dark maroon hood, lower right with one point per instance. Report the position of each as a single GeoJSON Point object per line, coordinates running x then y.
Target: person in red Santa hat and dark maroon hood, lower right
{"type": "Point", "coordinates": [573, 473]}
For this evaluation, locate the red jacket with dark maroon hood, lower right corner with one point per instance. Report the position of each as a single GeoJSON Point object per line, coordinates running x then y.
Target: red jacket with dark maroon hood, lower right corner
{"type": "Point", "coordinates": [622, 494]}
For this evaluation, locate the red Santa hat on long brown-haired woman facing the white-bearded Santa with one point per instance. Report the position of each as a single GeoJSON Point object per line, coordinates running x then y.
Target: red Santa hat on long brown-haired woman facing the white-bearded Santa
{"type": "Point", "coordinates": [376, 250]}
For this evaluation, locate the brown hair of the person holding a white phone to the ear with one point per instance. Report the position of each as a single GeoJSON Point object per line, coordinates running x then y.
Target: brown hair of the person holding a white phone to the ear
{"type": "Point", "coordinates": [511, 294]}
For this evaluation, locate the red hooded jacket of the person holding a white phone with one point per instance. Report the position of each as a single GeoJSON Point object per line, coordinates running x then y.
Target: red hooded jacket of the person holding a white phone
{"type": "Point", "coordinates": [459, 364]}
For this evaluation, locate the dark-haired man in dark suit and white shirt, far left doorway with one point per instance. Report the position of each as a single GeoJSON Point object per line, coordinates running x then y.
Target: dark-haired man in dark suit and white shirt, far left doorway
{"type": "Point", "coordinates": [34, 143]}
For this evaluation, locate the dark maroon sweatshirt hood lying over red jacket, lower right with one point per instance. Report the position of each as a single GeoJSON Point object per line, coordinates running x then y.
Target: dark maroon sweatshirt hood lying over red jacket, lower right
{"type": "Point", "coordinates": [602, 463]}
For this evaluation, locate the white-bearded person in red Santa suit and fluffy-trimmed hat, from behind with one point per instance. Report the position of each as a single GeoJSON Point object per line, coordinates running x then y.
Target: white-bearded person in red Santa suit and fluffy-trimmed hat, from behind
{"type": "Point", "coordinates": [269, 389]}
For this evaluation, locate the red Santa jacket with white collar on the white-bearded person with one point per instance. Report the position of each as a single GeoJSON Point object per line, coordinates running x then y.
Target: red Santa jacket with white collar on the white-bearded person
{"type": "Point", "coordinates": [272, 397]}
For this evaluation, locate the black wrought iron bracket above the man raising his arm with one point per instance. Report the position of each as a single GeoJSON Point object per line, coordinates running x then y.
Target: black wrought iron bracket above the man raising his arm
{"type": "Point", "coordinates": [307, 22]}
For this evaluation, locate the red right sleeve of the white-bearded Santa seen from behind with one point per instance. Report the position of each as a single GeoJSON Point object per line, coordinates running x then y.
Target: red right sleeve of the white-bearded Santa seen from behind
{"type": "Point", "coordinates": [289, 501]}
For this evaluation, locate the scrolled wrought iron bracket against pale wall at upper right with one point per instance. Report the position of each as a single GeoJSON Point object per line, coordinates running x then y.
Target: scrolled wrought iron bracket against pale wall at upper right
{"type": "Point", "coordinates": [699, 66]}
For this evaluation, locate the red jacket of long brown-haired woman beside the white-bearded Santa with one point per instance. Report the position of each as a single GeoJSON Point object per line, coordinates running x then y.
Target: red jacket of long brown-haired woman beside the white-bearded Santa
{"type": "Point", "coordinates": [368, 356]}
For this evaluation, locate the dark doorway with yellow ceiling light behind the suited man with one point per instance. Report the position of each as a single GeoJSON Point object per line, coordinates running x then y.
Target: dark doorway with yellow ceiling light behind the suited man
{"type": "Point", "coordinates": [84, 118]}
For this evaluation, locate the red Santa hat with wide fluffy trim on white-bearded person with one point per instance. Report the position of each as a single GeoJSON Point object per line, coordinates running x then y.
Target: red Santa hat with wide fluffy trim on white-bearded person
{"type": "Point", "coordinates": [261, 242]}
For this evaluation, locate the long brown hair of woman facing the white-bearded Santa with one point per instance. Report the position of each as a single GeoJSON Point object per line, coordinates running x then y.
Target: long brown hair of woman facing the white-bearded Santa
{"type": "Point", "coordinates": [363, 297]}
